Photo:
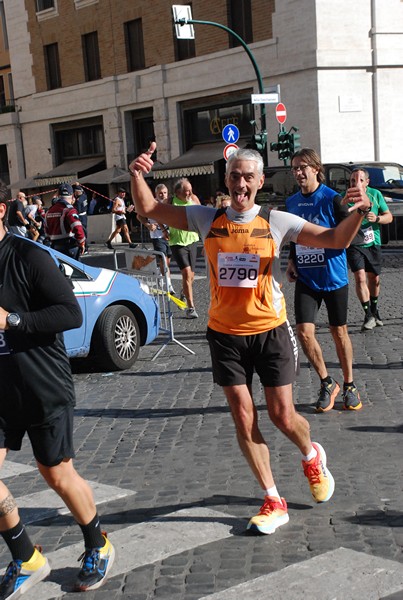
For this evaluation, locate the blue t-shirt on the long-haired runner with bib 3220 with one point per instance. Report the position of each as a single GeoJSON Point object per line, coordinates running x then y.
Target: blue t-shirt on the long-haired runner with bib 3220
{"type": "Point", "coordinates": [321, 269]}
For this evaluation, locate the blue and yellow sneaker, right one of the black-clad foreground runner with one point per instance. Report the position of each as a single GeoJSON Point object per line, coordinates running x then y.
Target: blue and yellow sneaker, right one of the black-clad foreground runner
{"type": "Point", "coordinates": [96, 564]}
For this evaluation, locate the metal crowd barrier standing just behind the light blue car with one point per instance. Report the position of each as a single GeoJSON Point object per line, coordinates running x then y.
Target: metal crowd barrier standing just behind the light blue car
{"type": "Point", "coordinates": [143, 264]}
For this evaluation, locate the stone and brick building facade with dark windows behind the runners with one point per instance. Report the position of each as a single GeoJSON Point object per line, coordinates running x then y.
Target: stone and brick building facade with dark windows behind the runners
{"type": "Point", "coordinates": [94, 80]}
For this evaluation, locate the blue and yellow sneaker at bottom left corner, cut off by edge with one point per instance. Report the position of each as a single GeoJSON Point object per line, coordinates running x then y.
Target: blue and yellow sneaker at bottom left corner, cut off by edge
{"type": "Point", "coordinates": [21, 576]}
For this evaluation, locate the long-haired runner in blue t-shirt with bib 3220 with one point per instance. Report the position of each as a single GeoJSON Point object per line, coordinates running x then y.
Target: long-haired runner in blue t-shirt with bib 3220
{"type": "Point", "coordinates": [321, 274]}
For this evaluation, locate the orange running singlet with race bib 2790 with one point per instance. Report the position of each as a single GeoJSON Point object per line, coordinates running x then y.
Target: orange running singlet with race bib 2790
{"type": "Point", "coordinates": [246, 296]}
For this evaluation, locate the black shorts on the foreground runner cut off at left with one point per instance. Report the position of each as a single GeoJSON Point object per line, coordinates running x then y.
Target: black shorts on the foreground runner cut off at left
{"type": "Point", "coordinates": [51, 442]}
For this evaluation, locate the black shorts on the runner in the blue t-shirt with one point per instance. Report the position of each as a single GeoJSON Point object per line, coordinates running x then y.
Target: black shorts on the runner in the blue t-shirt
{"type": "Point", "coordinates": [308, 301]}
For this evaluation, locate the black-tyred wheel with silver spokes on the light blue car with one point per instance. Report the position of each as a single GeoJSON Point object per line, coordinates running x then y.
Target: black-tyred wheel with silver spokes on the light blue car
{"type": "Point", "coordinates": [116, 340]}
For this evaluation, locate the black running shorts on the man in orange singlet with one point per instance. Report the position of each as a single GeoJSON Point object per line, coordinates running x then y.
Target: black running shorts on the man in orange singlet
{"type": "Point", "coordinates": [273, 354]}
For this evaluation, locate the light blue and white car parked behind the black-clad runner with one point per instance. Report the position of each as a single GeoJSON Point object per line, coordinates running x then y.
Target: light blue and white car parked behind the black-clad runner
{"type": "Point", "coordinates": [119, 316]}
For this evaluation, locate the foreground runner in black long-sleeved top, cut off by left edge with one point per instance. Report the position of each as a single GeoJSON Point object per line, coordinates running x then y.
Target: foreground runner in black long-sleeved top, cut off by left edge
{"type": "Point", "coordinates": [37, 397]}
